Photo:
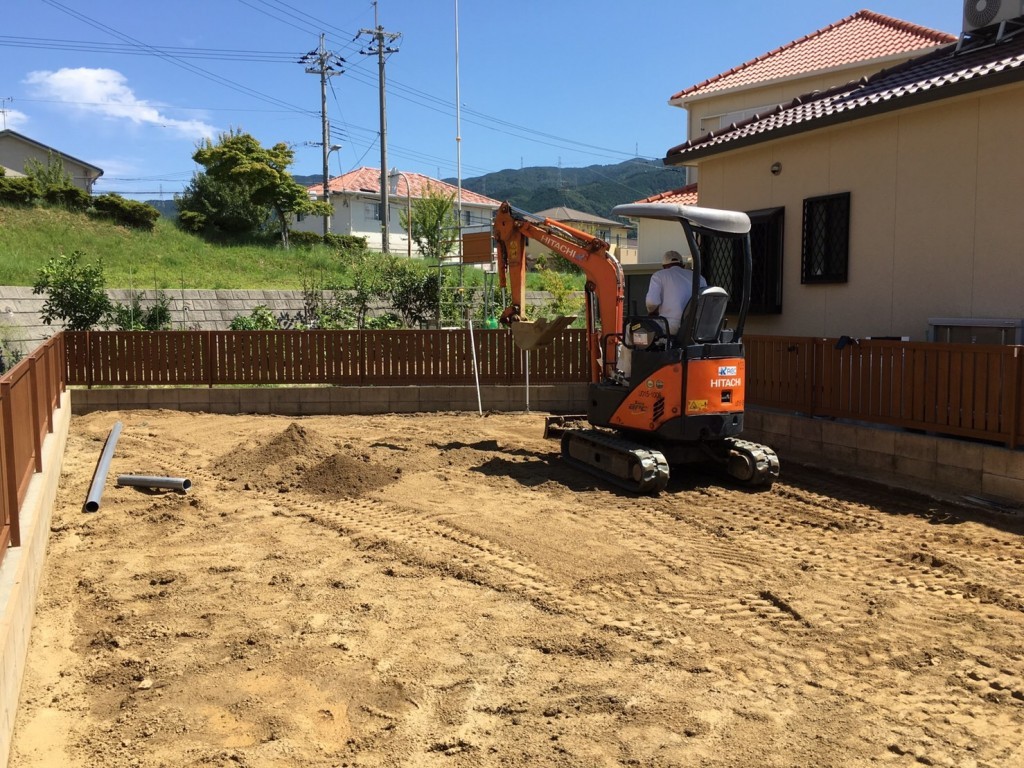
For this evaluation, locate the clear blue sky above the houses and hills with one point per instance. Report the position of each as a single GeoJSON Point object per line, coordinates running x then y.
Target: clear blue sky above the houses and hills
{"type": "Point", "coordinates": [132, 88]}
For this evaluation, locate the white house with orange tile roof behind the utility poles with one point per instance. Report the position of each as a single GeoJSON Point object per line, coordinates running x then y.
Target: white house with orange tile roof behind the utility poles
{"type": "Point", "coordinates": [356, 200]}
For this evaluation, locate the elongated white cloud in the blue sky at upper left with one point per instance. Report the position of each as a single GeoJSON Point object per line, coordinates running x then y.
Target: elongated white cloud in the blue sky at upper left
{"type": "Point", "coordinates": [106, 93]}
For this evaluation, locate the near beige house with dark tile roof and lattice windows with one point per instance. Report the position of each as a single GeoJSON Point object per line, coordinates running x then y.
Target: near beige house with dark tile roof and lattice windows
{"type": "Point", "coordinates": [886, 206]}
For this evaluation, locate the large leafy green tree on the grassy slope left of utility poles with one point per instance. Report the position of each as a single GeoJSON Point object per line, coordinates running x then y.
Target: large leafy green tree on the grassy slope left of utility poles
{"type": "Point", "coordinates": [238, 158]}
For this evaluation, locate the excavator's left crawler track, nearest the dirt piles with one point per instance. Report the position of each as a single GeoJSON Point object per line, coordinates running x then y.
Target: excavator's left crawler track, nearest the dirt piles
{"type": "Point", "coordinates": [626, 464]}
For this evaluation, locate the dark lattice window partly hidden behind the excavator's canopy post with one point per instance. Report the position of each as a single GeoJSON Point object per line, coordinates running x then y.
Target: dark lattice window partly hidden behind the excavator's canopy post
{"type": "Point", "coordinates": [722, 261]}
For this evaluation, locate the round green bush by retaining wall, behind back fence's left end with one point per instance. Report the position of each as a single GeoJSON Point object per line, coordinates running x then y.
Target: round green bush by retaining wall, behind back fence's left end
{"type": "Point", "coordinates": [75, 292]}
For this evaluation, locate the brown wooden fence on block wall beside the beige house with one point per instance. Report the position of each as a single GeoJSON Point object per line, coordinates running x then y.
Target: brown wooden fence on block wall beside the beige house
{"type": "Point", "coordinates": [965, 391]}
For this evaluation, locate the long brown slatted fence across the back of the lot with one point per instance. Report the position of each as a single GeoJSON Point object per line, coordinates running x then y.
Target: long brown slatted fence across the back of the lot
{"type": "Point", "coordinates": [337, 358]}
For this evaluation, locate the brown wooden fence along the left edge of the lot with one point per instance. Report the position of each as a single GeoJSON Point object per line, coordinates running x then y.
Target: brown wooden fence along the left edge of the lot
{"type": "Point", "coordinates": [29, 395]}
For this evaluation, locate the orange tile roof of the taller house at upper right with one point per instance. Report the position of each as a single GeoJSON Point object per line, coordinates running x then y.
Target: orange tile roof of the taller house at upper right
{"type": "Point", "coordinates": [866, 36]}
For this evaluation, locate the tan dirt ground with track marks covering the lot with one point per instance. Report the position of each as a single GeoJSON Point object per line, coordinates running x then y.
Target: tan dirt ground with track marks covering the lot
{"type": "Point", "coordinates": [442, 591]}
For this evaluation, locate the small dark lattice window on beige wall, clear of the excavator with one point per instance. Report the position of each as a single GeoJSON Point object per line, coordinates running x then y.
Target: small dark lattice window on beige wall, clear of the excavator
{"type": "Point", "coordinates": [827, 239]}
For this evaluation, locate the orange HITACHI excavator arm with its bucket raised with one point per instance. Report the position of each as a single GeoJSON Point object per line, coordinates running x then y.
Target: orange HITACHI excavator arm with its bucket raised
{"type": "Point", "coordinates": [606, 287]}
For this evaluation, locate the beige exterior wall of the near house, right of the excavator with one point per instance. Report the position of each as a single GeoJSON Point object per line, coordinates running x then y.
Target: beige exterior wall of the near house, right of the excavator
{"type": "Point", "coordinates": [934, 232]}
